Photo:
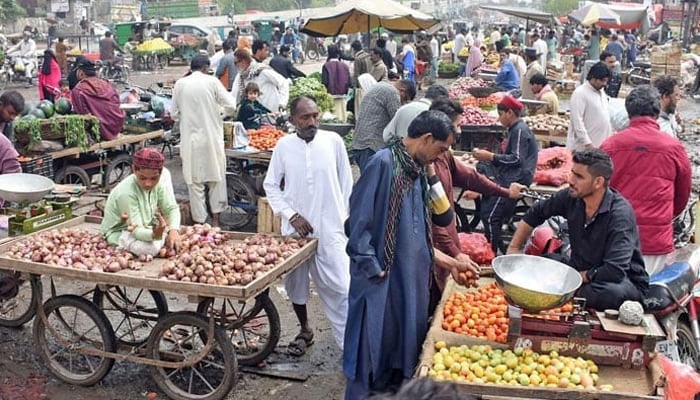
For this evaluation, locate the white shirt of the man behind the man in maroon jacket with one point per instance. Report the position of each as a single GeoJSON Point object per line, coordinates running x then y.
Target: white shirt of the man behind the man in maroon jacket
{"type": "Point", "coordinates": [590, 121]}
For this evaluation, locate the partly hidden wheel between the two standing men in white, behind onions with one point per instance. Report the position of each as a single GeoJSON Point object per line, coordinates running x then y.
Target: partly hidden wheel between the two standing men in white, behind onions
{"type": "Point", "coordinates": [242, 203]}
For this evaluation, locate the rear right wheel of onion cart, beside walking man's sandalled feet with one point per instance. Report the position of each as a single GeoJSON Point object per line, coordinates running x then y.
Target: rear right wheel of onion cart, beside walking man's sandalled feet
{"type": "Point", "coordinates": [252, 327]}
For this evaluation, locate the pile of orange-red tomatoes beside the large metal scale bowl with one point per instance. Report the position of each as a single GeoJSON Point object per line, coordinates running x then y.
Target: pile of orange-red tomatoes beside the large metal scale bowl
{"type": "Point", "coordinates": [481, 314]}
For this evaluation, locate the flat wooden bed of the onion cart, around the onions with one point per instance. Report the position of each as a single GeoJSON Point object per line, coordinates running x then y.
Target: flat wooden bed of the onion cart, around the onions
{"type": "Point", "coordinates": [148, 276]}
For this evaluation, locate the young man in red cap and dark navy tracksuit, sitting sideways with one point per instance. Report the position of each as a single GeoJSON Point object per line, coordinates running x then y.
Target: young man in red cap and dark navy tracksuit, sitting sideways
{"type": "Point", "coordinates": [515, 164]}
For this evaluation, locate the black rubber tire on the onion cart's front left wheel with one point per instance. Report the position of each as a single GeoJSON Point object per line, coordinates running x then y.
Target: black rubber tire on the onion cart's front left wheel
{"type": "Point", "coordinates": [100, 321]}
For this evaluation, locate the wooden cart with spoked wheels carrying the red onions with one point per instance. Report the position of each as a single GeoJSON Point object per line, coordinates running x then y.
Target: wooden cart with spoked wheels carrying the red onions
{"type": "Point", "coordinates": [191, 355]}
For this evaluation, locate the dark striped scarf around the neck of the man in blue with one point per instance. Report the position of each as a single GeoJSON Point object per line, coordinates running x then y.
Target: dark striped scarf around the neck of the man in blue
{"type": "Point", "coordinates": [406, 171]}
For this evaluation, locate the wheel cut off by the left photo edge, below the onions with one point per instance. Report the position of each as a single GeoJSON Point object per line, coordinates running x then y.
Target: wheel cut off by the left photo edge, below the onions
{"type": "Point", "coordinates": [19, 299]}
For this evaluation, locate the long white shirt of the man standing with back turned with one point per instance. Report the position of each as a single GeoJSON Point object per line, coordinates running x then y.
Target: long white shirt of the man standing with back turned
{"type": "Point", "coordinates": [196, 103]}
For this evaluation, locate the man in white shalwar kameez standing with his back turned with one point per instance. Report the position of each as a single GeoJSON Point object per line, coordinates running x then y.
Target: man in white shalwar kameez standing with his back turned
{"type": "Point", "coordinates": [197, 99]}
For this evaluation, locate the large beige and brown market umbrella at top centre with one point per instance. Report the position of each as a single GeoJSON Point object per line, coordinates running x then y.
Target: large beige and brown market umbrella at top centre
{"type": "Point", "coordinates": [363, 15]}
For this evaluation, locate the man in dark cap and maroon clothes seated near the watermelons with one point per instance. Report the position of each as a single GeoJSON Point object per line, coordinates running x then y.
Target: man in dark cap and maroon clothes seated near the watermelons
{"type": "Point", "coordinates": [96, 96]}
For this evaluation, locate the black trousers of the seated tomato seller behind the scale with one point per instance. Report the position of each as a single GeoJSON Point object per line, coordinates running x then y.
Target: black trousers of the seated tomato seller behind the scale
{"type": "Point", "coordinates": [608, 295]}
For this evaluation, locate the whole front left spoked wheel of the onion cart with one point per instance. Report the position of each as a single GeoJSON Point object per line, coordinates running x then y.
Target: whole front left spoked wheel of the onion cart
{"type": "Point", "coordinates": [83, 326]}
